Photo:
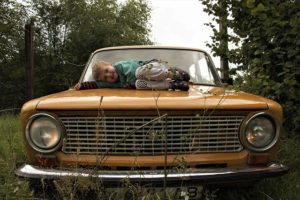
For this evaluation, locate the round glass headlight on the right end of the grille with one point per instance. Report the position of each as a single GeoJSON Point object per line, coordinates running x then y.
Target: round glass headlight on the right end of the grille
{"type": "Point", "coordinates": [260, 132]}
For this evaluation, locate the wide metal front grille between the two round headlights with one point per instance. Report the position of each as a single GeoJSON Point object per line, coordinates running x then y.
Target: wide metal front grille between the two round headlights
{"type": "Point", "coordinates": [148, 135]}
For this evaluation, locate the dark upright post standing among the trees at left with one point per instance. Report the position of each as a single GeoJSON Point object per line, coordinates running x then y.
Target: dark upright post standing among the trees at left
{"type": "Point", "coordinates": [29, 59]}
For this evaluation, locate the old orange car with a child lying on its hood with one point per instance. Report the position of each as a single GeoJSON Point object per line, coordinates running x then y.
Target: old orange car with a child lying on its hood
{"type": "Point", "coordinates": [208, 134]}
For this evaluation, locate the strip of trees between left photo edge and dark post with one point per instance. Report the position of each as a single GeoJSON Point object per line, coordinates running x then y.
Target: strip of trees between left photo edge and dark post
{"type": "Point", "coordinates": [13, 17]}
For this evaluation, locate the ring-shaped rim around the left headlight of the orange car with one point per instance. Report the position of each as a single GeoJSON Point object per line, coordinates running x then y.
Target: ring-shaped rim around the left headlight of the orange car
{"type": "Point", "coordinates": [29, 139]}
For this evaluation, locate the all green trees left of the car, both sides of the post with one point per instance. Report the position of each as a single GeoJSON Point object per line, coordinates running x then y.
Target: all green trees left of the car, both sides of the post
{"type": "Point", "coordinates": [66, 33]}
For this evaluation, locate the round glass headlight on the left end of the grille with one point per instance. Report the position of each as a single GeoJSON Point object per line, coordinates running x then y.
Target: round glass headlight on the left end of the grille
{"type": "Point", "coordinates": [44, 133]}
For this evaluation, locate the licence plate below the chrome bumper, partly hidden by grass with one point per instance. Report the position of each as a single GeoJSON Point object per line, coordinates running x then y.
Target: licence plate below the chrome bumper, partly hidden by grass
{"type": "Point", "coordinates": [176, 193]}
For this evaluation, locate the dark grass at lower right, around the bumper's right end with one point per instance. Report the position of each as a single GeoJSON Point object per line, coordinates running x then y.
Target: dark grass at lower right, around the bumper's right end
{"type": "Point", "coordinates": [285, 187]}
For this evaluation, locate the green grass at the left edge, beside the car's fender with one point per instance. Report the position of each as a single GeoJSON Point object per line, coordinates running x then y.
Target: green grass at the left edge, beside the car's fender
{"type": "Point", "coordinates": [11, 155]}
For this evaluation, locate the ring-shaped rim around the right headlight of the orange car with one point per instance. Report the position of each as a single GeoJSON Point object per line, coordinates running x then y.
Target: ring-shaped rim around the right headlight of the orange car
{"type": "Point", "coordinates": [242, 132]}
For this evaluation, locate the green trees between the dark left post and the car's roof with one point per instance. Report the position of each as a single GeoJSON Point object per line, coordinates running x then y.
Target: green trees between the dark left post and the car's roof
{"type": "Point", "coordinates": [71, 30]}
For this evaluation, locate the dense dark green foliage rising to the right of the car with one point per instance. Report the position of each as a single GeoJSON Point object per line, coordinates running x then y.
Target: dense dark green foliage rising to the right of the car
{"type": "Point", "coordinates": [265, 40]}
